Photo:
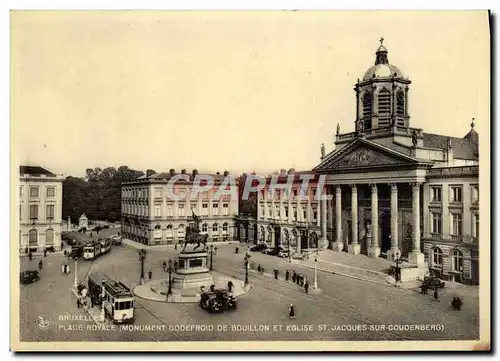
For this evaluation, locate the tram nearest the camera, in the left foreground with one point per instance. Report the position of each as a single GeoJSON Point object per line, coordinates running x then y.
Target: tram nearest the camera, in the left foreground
{"type": "Point", "coordinates": [117, 299]}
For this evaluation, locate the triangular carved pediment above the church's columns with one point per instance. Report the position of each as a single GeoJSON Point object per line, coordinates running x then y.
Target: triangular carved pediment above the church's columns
{"type": "Point", "coordinates": [363, 154]}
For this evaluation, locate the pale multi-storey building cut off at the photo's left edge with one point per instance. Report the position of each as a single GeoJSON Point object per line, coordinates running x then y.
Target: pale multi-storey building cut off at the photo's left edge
{"type": "Point", "coordinates": [40, 210]}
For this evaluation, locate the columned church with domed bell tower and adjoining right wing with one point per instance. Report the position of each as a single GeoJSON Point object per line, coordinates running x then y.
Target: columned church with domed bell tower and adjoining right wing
{"type": "Point", "coordinates": [398, 188]}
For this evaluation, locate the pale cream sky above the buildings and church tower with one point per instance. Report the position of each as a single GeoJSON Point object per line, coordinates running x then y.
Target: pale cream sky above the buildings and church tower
{"type": "Point", "coordinates": [238, 91]}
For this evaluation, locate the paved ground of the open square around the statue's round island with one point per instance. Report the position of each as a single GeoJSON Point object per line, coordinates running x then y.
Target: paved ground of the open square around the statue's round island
{"type": "Point", "coordinates": [345, 309]}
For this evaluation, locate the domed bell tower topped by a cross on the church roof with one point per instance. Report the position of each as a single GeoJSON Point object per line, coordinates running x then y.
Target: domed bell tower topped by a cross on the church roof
{"type": "Point", "coordinates": [382, 96]}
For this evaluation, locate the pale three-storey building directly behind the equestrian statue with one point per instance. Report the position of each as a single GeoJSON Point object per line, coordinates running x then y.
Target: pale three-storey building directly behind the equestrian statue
{"type": "Point", "coordinates": [151, 217]}
